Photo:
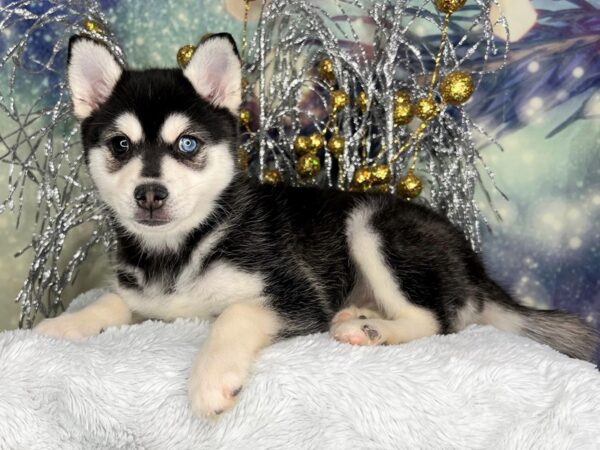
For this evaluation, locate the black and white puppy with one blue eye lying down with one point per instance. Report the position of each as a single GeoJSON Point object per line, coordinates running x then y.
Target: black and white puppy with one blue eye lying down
{"type": "Point", "coordinates": [197, 239]}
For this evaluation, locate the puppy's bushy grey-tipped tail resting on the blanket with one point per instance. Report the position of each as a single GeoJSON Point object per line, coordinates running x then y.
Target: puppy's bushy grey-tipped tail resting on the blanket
{"type": "Point", "coordinates": [562, 331]}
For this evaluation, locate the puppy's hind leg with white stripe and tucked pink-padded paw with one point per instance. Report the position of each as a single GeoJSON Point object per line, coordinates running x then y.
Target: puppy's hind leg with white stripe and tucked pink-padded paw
{"type": "Point", "coordinates": [406, 321]}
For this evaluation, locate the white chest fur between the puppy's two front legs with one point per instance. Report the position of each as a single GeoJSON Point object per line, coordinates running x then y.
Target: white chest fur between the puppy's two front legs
{"type": "Point", "coordinates": [204, 296]}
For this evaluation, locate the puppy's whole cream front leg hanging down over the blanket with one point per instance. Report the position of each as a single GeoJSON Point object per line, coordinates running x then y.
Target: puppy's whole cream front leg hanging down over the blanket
{"type": "Point", "coordinates": [224, 362]}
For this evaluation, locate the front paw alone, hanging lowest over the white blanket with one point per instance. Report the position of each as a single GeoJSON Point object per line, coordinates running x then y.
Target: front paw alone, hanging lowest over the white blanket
{"type": "Point", "coordinates": [217, 379]}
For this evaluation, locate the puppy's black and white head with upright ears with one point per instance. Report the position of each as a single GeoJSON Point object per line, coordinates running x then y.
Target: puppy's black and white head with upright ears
{"type": "Point", "coordinates": [160, 144]}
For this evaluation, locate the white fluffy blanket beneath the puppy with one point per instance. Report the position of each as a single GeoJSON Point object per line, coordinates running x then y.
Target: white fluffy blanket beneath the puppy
{"type": "Point", "coordinates": [126, 389]}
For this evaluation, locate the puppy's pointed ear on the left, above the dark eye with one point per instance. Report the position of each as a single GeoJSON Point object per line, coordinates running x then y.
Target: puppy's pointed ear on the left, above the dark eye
{"type": "Point", "coordinates": [93, 73]}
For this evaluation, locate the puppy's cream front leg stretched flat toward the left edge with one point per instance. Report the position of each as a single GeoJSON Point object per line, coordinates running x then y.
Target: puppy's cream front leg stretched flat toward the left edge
{"type": "Point", "coordinates": [109, 310]}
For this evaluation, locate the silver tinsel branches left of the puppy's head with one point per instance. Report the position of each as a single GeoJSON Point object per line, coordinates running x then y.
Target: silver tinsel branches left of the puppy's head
{"type": "Point", "coordinates": [40, 144]}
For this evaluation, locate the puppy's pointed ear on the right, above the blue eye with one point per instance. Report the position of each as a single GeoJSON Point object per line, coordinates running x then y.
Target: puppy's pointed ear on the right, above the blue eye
{"type": "Point", "coordinates": [215, 72]}
